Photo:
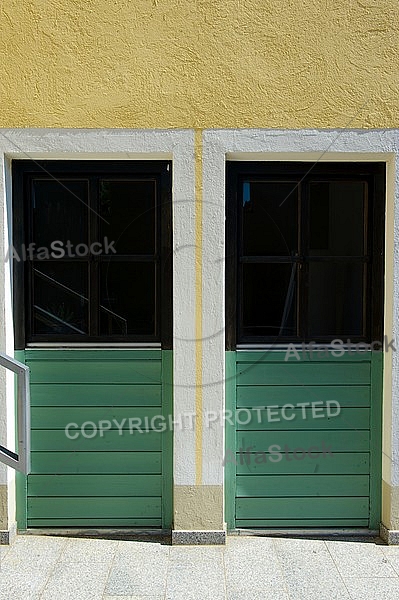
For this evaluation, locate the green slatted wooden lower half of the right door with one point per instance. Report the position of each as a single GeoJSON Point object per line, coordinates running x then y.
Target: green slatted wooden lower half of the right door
{"type": "Point", "coordinates": [333, 411]}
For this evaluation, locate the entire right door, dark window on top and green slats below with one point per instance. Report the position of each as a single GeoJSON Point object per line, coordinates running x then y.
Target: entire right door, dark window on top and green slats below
{"type": "Point", "coordinates": [304, 345]}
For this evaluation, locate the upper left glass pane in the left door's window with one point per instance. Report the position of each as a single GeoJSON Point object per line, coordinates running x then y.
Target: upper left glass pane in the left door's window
{"type": "Point", "coordinates": [59, 212]}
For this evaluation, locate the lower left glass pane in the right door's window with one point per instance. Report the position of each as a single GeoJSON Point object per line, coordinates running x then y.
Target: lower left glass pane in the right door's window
{"type": "Point", "coordinates": [269, 299]}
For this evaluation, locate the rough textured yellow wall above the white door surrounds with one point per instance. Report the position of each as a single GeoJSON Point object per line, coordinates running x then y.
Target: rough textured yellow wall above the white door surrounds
{"type": "Point", "coordinates": [199, 63]}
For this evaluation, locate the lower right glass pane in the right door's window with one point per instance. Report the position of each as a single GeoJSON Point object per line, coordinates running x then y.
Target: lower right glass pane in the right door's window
{"type": "Point", "coordinates": [335, 299]}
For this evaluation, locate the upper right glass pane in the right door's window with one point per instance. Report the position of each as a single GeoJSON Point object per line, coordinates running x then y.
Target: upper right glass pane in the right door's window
{"type": "Point", "coordinates": [336, 217]}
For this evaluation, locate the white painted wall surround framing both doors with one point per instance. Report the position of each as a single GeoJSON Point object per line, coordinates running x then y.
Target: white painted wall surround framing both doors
{"type": "Point", "coordinates": [218, 145]}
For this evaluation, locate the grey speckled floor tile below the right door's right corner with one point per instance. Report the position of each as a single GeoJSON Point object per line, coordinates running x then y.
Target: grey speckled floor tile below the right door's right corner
{"type": "Point", "coordinates": [356, 559]}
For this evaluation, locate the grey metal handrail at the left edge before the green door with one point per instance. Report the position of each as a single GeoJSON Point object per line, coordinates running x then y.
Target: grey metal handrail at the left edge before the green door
{"type": "Point", "coordinates": [20, 461]}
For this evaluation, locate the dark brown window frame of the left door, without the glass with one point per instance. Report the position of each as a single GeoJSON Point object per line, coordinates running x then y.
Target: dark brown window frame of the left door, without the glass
{"type": "Point", "coordinates": [23, 173]}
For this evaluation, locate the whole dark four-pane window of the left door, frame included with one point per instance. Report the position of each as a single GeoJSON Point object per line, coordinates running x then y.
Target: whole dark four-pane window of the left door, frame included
{"type": "Point", "coordinates": [91, 251]}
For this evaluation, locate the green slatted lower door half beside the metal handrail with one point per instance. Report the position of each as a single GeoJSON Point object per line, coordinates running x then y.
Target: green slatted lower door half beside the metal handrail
{"type": "Point", "coordinates": [118, 476]}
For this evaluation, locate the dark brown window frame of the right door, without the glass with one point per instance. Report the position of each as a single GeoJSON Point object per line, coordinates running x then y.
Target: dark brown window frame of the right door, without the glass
{"type": "Point", "coordinates": [303, 173]}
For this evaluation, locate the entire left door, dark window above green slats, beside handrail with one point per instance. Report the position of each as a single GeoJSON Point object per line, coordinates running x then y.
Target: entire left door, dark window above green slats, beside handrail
{"type": "Point", "coordinates": [92, 305]}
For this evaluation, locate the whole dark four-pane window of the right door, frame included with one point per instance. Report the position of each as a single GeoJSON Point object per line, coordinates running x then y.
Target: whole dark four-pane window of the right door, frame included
{"type": "Point", "coordinates": [304, 252]}
